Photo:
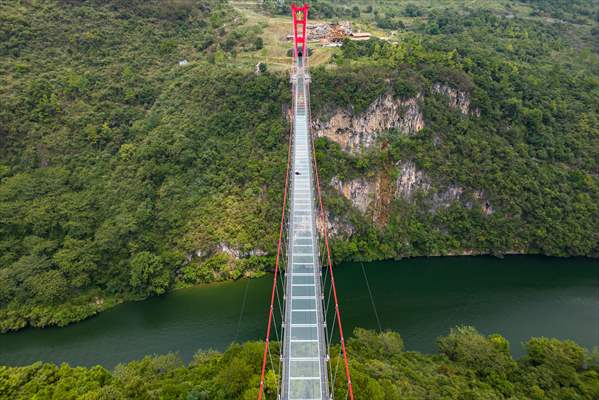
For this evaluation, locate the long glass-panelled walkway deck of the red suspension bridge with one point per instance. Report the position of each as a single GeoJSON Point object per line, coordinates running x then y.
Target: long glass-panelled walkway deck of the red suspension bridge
{"type": "Point", "coordinates": [304, 348]}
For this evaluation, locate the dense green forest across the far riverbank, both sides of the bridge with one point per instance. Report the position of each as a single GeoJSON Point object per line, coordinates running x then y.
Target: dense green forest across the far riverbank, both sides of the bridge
{"type": "Point", "coordinates": [138, 155]}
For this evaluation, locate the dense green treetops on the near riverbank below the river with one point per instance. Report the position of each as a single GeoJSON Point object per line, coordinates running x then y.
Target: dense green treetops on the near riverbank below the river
{"type": "Point", "coordinates": [468, 366]}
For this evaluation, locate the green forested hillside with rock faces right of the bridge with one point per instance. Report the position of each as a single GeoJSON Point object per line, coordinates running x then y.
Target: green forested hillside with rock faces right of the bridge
{"type": "Point", "coordinates": [514, 171]}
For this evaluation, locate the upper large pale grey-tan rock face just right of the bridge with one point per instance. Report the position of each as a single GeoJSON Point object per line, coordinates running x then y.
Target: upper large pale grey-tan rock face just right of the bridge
{"type": "Point", "coordinates": [356, 132]}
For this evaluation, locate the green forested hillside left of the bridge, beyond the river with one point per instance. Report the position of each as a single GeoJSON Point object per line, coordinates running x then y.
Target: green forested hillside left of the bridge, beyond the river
{"type": "Point", "coordinates": [117, 162]}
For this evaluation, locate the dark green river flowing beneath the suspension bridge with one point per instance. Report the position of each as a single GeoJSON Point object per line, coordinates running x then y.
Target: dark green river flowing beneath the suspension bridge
{"type": "Point", "coordinates": [422, 298]}
